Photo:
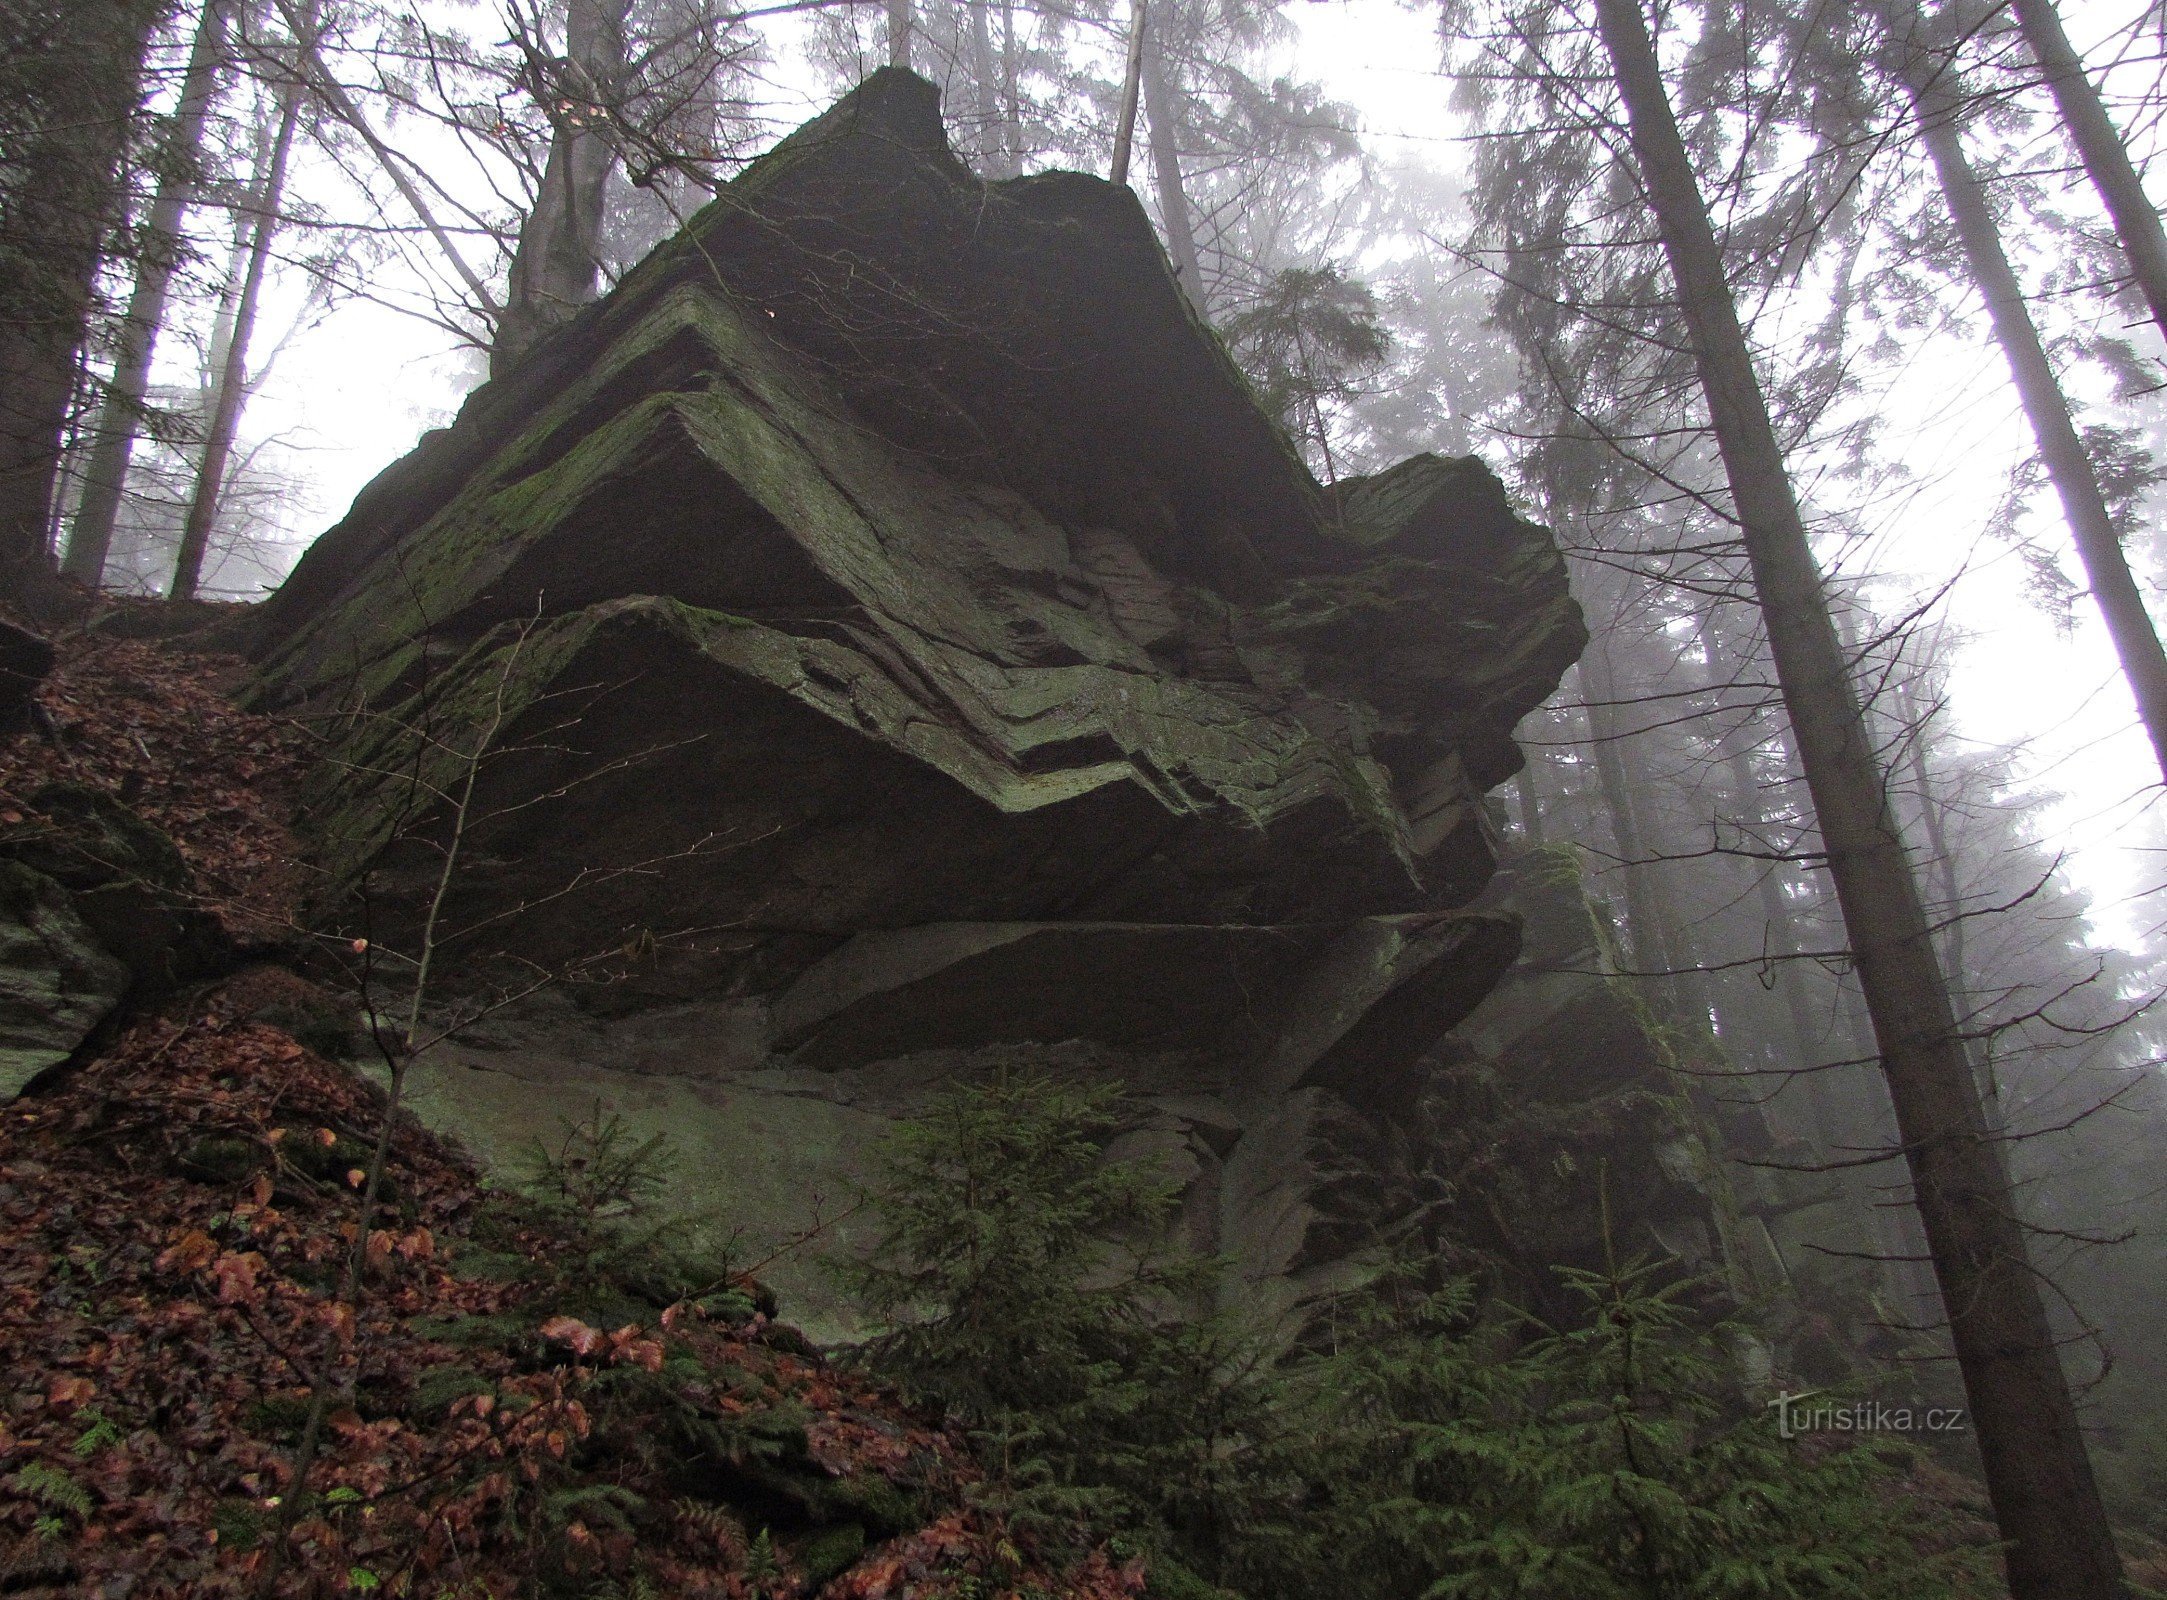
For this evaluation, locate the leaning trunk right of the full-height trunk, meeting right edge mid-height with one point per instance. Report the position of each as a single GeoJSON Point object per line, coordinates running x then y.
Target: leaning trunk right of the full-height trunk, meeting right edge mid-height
{"type": "Point", "coordinates": [1938, 101]}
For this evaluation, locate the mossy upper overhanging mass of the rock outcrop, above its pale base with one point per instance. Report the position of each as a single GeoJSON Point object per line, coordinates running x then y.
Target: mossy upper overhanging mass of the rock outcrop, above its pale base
{"type": "Point", "coordinates": [939, 493]}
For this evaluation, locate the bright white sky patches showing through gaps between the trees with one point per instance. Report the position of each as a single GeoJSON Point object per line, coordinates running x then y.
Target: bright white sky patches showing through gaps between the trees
{"type": "Point", "coordinates": [356, 393]}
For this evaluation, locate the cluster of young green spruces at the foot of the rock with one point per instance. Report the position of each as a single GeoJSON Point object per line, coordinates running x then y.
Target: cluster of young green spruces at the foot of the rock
{"type": "Point", "coordinates": [1440, 1449]}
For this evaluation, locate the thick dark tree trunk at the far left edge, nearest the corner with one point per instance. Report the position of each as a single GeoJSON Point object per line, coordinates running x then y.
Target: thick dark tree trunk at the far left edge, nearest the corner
{"type": "Point", "coordinates": [70, 79]}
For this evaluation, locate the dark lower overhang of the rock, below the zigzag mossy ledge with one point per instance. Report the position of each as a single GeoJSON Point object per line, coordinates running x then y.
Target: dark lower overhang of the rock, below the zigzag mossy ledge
{"type": "Point", "coordinates": [716, 782]}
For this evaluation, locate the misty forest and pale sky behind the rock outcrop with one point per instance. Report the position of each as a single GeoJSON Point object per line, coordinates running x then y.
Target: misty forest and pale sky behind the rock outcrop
{"type": "Point", "coordinates": [300, 170]}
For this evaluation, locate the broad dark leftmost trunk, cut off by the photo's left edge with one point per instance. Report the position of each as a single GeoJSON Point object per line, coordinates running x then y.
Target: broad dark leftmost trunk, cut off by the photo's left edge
{"type": "Point", "coordinates": [64, 194]}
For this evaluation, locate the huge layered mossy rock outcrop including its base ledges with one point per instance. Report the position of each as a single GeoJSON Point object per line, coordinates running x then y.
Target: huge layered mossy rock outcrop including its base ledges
{"type": "Point", "coordinates": [900, 634]}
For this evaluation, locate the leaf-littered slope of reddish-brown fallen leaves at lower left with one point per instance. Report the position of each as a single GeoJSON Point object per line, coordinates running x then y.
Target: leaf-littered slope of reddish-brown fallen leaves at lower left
{"type": "Point", "coordinates": [521, 1399]}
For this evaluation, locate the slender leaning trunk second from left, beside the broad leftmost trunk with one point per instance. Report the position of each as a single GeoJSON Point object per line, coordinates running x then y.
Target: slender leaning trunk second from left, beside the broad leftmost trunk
{"type": "Point", "coordinates": [90, 541]}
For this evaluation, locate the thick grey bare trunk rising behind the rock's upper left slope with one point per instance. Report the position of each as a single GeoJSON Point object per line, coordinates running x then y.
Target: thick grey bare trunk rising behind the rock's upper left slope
{"type": "Point", "coordinates": [556, 266]}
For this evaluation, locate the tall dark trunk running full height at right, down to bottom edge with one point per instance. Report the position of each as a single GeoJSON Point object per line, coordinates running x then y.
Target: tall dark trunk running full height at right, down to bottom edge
{"type": "Point", "coordinates": [2029, 1438]}
